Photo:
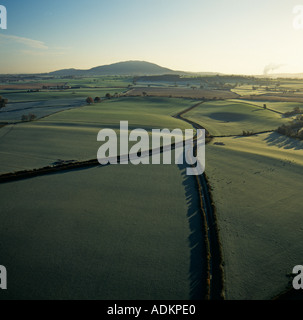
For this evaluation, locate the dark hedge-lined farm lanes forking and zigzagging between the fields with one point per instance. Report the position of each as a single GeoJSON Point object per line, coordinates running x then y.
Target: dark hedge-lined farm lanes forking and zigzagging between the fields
{"type": "Point", "coordinates": [214, 288]}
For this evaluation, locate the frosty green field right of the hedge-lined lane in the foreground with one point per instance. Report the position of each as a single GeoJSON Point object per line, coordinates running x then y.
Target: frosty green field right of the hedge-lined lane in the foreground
{"type": "Point", "coordinates": [256, 185]}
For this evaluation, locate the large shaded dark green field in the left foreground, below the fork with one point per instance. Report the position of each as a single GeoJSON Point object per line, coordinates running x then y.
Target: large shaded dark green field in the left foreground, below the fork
{"type": "Point", "coordinates": [111, 233]}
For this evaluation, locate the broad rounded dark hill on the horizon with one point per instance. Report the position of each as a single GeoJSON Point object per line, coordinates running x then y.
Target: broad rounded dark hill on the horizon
{"type": "Point", "coordinates": [131, 68]}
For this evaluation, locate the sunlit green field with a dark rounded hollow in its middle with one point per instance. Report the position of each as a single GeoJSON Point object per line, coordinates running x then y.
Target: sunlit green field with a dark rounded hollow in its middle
{"type": "Point", "coordinates": [232, 117]}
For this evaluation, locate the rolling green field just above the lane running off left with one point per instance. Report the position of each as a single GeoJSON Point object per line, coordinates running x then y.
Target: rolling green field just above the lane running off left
{"type": "Point", "coordinates": [72, 134]}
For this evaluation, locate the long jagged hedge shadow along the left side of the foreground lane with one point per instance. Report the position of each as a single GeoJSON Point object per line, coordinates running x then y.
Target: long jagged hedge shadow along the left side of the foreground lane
{"type": "Point", "coordinates": [197, 272]}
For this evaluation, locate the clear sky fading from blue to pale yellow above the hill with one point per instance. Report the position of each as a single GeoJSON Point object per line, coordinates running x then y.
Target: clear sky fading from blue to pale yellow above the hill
{"type": "Point", "coordinates": [227, 36]}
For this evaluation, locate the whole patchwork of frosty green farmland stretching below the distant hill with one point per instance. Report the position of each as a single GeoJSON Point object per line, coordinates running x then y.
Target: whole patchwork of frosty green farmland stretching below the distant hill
{"type": "Point", "coordinates": [136, 232]}
